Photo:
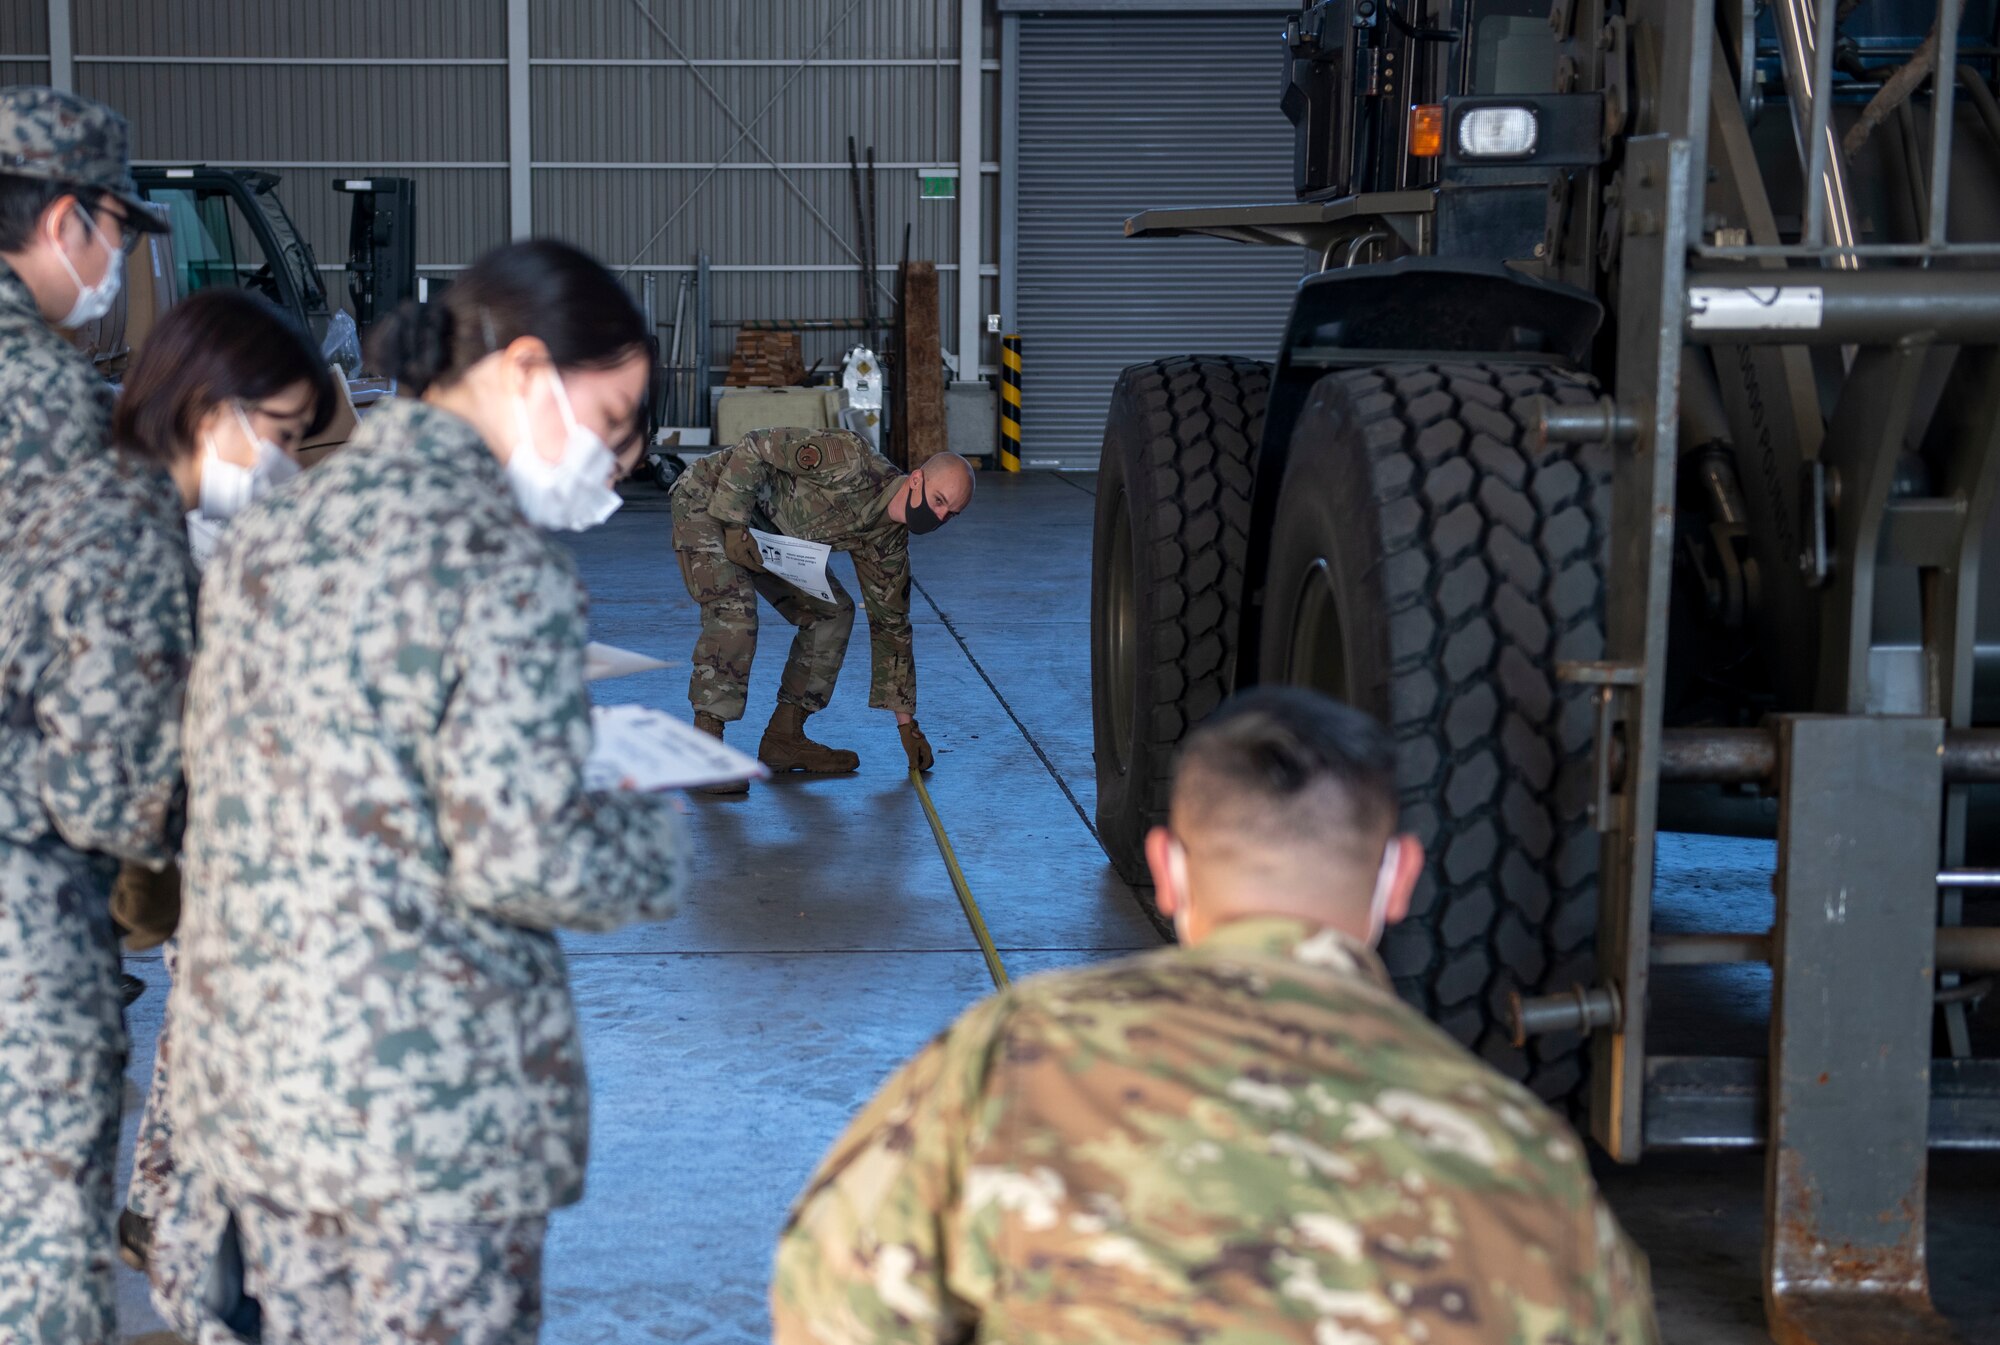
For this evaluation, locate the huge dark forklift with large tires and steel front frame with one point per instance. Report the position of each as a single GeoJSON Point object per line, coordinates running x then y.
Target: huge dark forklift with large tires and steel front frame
{"type": "Point", "coordinates": [1631, 451]}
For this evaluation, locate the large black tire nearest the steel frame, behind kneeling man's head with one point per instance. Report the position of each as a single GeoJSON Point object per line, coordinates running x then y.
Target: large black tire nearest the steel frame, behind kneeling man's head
{"type": "Point", "coordinates": [1433, 563]}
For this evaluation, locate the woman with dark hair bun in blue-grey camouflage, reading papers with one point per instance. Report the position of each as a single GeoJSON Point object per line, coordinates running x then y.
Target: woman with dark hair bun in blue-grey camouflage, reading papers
{"type": "Point", "coordinates": [377, 1062]}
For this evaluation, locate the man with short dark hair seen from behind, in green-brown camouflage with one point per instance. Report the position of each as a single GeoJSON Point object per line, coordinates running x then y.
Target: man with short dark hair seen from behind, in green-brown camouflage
{"type": "Point", "coordinates": [1247, 1138]}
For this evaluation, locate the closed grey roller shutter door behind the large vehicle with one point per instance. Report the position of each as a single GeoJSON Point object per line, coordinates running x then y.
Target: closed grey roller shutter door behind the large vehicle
{"type": "Point", "coordinates": [1119, 117]}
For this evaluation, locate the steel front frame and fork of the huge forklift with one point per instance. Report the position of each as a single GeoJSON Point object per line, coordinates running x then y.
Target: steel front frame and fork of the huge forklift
{"type": "Point", "coordinates": [1869, 816]}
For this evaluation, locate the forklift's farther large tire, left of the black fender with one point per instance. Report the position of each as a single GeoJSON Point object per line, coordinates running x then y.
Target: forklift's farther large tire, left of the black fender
{"type": "Point", "coordinates": [1167, 577]}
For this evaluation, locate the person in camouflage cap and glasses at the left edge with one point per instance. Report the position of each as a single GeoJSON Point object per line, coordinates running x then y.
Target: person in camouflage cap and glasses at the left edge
{"type": "Point", "coordinates": [95, 639]}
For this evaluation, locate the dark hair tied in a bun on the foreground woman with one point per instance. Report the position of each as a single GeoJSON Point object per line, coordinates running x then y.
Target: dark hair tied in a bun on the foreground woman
{"type": "Point", "coordinates": [539, 289]}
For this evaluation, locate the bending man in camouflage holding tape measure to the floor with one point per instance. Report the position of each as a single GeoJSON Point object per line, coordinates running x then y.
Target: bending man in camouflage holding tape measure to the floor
{"type": "Point", "coordinates": [821, 487]}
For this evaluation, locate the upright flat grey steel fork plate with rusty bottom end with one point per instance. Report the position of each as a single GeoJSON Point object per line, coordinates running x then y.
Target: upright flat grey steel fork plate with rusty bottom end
{"type": "Point", "coordinates": [1853, 980]}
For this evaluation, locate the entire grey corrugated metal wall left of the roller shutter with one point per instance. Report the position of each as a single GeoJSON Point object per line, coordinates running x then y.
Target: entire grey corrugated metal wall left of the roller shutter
{"type": "Point", "coordinates": [645, 115]}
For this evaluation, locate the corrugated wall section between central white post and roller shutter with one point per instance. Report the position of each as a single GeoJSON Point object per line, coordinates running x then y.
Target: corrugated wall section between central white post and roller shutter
{"type": "Point", "coordinates": [717, 83]}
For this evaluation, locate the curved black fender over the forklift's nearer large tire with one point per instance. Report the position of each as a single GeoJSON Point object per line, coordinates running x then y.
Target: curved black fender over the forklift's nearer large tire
{"type": "Point", "coordinates": [1413, 309]}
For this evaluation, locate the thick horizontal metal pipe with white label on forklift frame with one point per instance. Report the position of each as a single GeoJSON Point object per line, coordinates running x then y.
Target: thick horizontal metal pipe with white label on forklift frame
{"type": "Point", "coordinates": [1845, 307]}
